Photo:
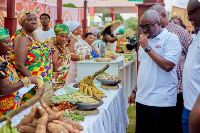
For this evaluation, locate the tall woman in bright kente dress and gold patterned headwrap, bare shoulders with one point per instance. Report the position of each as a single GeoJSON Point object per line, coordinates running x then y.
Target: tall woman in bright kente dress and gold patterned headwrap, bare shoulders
{"type": "Point", "coordinates": [30, 56]}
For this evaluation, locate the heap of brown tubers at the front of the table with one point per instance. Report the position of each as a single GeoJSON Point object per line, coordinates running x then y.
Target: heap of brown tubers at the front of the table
{"type": "Point", "coordinates": [49, 123]}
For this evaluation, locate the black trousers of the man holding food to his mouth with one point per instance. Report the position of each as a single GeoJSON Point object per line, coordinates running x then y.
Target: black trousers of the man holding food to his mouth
{"type": "Point", "coordinates": [150, 119]}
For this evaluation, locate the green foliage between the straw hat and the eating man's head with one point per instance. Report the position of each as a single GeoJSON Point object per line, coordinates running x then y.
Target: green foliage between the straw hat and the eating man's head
{"type": "Point", "coordinates": [132, 23]}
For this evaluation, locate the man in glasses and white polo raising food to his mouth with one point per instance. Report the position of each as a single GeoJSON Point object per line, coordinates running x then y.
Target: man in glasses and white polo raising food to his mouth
{"type": "Point", "coordinates": [157, 80]}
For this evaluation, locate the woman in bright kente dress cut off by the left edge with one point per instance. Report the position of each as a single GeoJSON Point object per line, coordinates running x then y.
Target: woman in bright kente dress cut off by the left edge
{"type": "Point", "coordinates": [10, 83]}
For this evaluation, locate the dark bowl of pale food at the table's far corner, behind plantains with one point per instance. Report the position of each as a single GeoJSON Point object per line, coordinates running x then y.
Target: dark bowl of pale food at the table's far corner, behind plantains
{"type": "Point", "coordinates": [109, 80]}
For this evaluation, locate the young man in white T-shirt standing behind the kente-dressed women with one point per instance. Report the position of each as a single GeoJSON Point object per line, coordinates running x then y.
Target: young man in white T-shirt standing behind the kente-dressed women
{"type": "Point", "coordinates": [44, 32]}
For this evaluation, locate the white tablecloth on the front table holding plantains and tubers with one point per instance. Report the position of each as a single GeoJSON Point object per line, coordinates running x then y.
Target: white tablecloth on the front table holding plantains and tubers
{"type": "Point", "coordinates": [112, 116]}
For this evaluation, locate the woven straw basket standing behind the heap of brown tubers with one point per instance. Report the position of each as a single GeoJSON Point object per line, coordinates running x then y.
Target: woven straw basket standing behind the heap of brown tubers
{"type": "Point", "coordinates": [48, 94]}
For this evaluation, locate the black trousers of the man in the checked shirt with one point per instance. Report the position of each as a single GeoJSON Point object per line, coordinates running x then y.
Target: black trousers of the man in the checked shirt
{"type": "Point", "coordinates": [179, 111]}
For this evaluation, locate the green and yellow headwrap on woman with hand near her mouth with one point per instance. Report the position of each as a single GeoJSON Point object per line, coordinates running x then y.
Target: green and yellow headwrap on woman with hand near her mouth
{"type": "Point", "coordinates": [61, 28]}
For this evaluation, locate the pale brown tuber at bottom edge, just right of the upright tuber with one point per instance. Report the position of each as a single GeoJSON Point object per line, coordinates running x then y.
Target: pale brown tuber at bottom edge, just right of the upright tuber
{"type": "Point", "coordinates": [56, 128]}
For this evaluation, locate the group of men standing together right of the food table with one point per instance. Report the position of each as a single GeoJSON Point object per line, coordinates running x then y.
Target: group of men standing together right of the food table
{"type": "Point", "coordinates": [169, 71]}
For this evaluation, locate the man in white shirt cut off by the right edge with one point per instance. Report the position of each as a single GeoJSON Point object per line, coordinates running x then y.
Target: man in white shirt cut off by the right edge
{"type": "Point", "coordinates": [191, 70]}
